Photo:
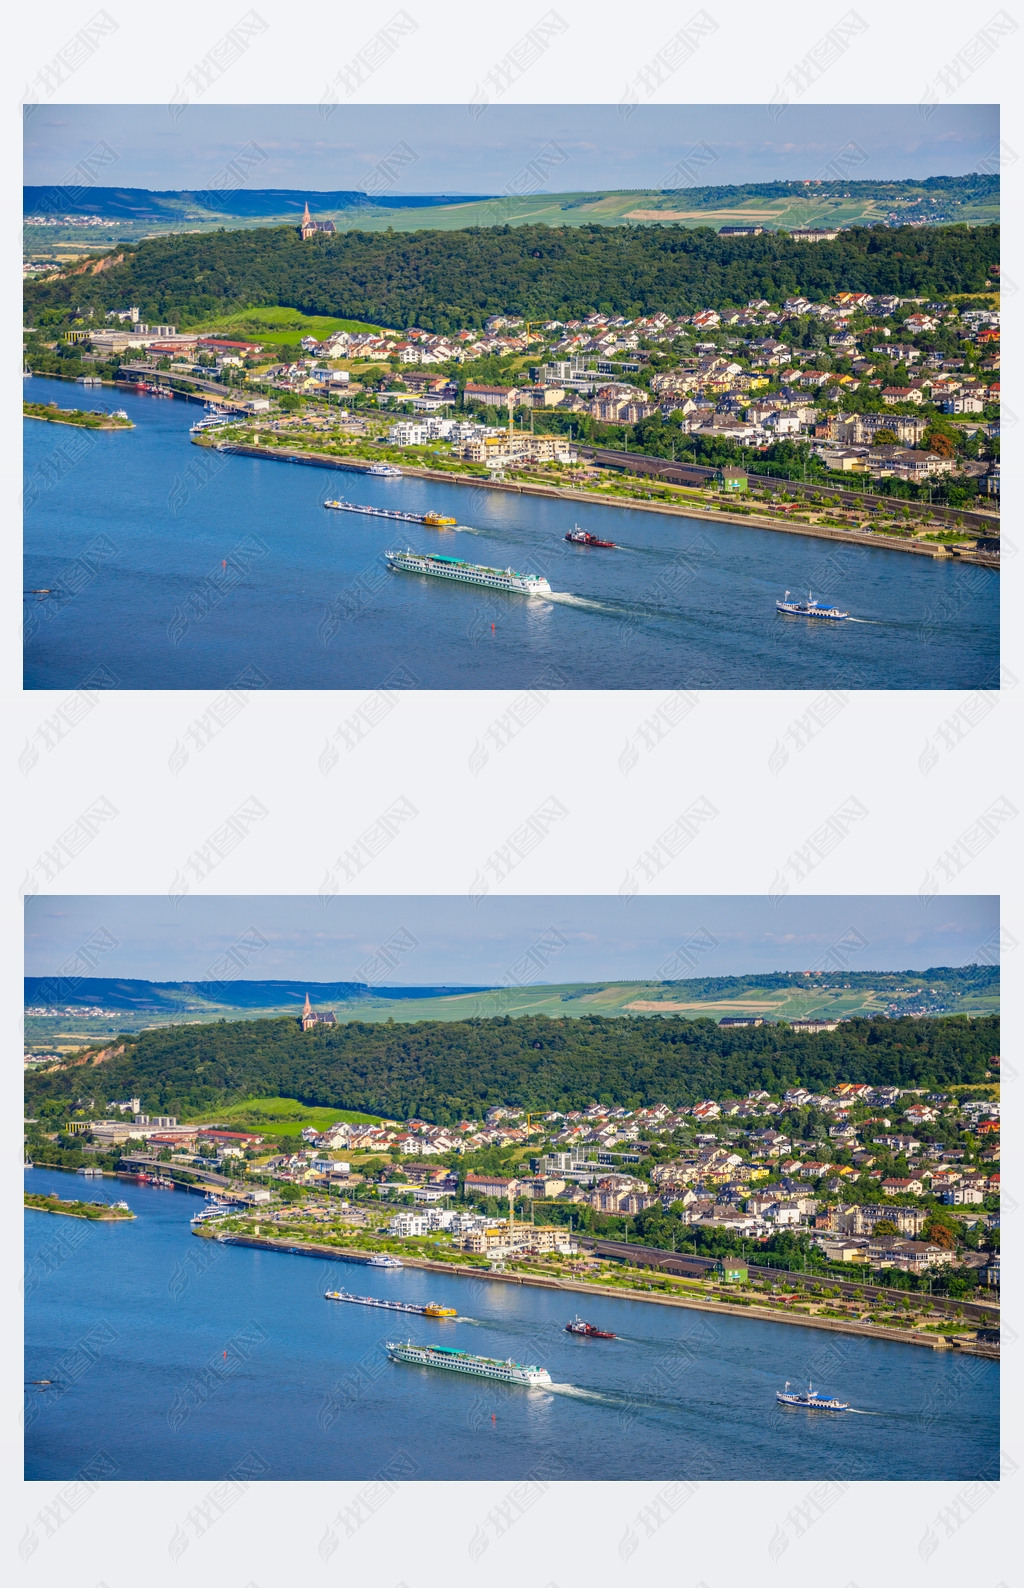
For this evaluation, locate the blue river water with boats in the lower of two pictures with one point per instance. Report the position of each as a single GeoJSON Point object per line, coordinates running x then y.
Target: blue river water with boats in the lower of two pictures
{"type": "Point", "coordinates": [177, 1357]}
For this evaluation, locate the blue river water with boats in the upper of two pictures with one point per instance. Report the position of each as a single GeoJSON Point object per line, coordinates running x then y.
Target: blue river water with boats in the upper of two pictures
{"type": "Point", "coordinates": [169, 568]}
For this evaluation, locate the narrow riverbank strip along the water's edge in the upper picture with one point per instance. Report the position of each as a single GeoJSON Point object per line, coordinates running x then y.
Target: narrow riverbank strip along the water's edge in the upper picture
{"type": "Point", "coordinates": [598, 499]}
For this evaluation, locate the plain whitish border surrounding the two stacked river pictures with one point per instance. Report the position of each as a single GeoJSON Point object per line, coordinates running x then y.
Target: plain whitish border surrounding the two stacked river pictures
{"type": "Point", "coordinates": [423, 750]}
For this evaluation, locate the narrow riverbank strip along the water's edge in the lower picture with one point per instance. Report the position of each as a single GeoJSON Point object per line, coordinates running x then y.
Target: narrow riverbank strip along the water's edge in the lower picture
{"type": "Point", "coordinates": [934, 1343]}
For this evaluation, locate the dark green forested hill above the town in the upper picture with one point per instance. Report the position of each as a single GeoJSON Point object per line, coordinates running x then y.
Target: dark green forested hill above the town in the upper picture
{"type": "Point", "coordinates": [445, 280]}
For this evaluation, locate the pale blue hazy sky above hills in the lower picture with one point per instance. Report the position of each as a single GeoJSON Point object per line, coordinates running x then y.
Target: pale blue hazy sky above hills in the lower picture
{"type": "Point", "coordinates": [480, 944]}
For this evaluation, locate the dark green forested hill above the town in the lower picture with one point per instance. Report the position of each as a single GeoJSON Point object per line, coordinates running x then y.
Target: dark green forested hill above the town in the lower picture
{"type": "Point", "coordinates": [450, 1071]}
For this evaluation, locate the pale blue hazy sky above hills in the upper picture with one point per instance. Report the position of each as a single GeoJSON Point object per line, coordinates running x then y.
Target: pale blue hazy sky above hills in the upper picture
{"type": "Point", "coordinates": [456, 153]}
